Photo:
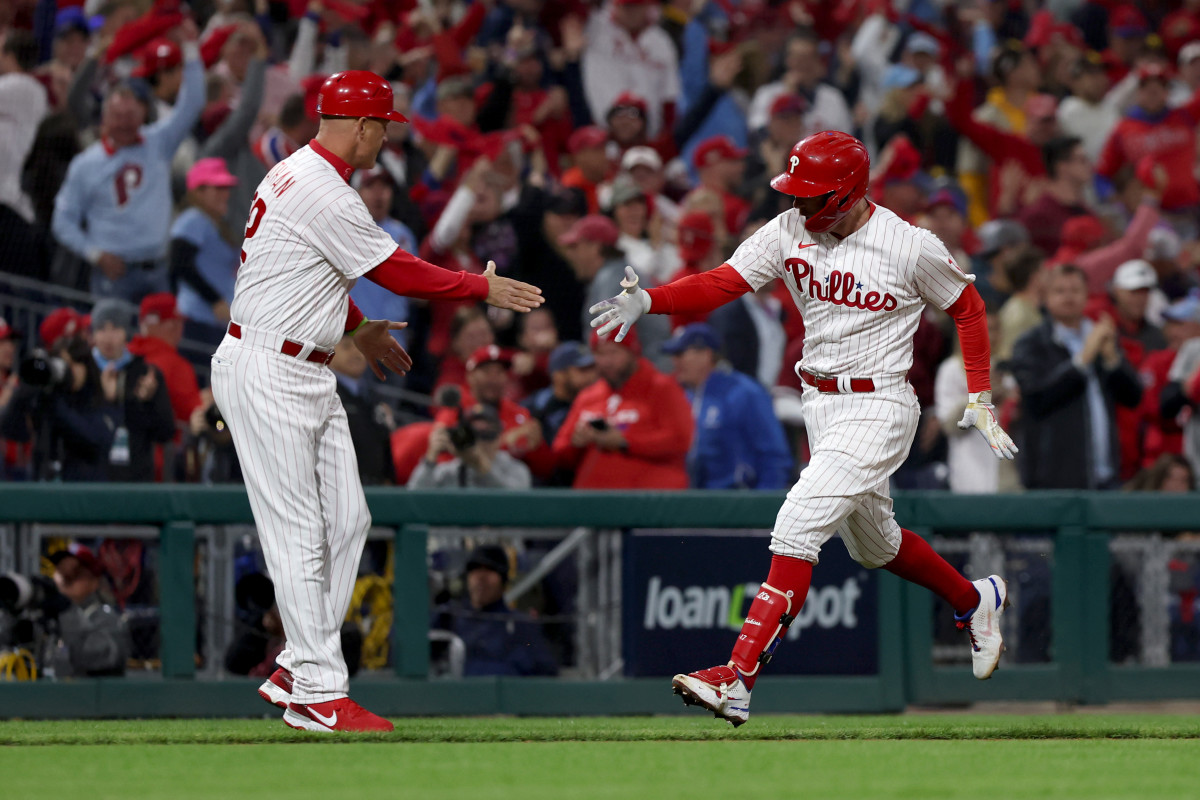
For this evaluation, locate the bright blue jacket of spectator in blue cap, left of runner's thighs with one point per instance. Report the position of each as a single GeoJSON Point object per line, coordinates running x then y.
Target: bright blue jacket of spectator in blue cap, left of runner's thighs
{"type": "Point", "coordinates": [739, 443]}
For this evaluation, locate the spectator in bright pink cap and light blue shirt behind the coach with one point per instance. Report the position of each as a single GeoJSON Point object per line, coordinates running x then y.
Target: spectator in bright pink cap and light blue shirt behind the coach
{"type": "Point", "coordinates": [203, 251]}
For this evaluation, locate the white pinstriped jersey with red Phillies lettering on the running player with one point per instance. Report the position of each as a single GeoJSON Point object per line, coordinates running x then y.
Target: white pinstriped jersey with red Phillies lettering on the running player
{"type": "Point", "coordinates": [861, 297]}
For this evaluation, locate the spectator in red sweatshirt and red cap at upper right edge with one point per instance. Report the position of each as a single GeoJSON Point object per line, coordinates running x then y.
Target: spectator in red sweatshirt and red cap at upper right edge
{"type": "Point", "coordinates": [1165, 136]}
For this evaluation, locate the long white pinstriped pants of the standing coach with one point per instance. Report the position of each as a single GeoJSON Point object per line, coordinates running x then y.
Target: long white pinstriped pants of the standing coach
{"type": "Point", "coordinates": [295, 446]}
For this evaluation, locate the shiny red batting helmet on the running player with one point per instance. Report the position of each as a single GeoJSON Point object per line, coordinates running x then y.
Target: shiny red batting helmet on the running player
{"type": "Point", "coordinates": [832, 164]}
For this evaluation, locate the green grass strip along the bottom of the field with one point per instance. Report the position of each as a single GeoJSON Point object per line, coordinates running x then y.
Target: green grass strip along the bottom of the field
{"type": "Point", "coordinates": [937, 757]}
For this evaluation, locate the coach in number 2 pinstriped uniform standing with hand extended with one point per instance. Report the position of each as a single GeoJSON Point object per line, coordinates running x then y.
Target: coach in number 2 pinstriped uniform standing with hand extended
{"type": "Point", "coordinates": [308, 240]}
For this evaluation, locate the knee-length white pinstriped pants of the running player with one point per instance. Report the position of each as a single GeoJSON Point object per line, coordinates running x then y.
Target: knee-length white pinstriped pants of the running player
{"type": "Point", "coordinates": [857, 441]}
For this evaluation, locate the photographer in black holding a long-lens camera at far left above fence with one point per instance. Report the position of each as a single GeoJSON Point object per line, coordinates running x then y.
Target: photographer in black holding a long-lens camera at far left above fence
{"type": "Point", "coordinates": [59, 406]}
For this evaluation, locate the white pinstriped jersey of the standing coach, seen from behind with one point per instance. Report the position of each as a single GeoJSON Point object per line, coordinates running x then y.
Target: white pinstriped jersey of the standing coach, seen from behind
{"type": "Point", "coordinates": [309, 238]}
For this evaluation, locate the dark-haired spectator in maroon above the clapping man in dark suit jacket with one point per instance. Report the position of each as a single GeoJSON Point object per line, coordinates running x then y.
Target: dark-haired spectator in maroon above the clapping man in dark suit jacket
{"type": "Point", "coordinates": [1070, 173]}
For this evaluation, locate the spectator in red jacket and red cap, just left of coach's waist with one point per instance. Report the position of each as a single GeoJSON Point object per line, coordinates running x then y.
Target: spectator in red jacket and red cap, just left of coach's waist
{"type": "Point", "coordinates": [161, 332]}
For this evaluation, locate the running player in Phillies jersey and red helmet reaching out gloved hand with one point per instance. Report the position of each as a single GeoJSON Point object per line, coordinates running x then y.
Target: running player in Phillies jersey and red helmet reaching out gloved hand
{"type": "Point", "coordinates": [861, 278]}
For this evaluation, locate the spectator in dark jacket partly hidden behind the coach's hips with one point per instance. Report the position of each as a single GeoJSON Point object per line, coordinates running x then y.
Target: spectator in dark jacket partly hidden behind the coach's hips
{"type": "Point", "coordinates": [371, 422]}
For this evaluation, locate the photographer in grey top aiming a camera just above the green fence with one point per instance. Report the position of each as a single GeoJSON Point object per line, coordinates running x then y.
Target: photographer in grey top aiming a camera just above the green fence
{"type": "Point", "coordinates": [478, 460]}
